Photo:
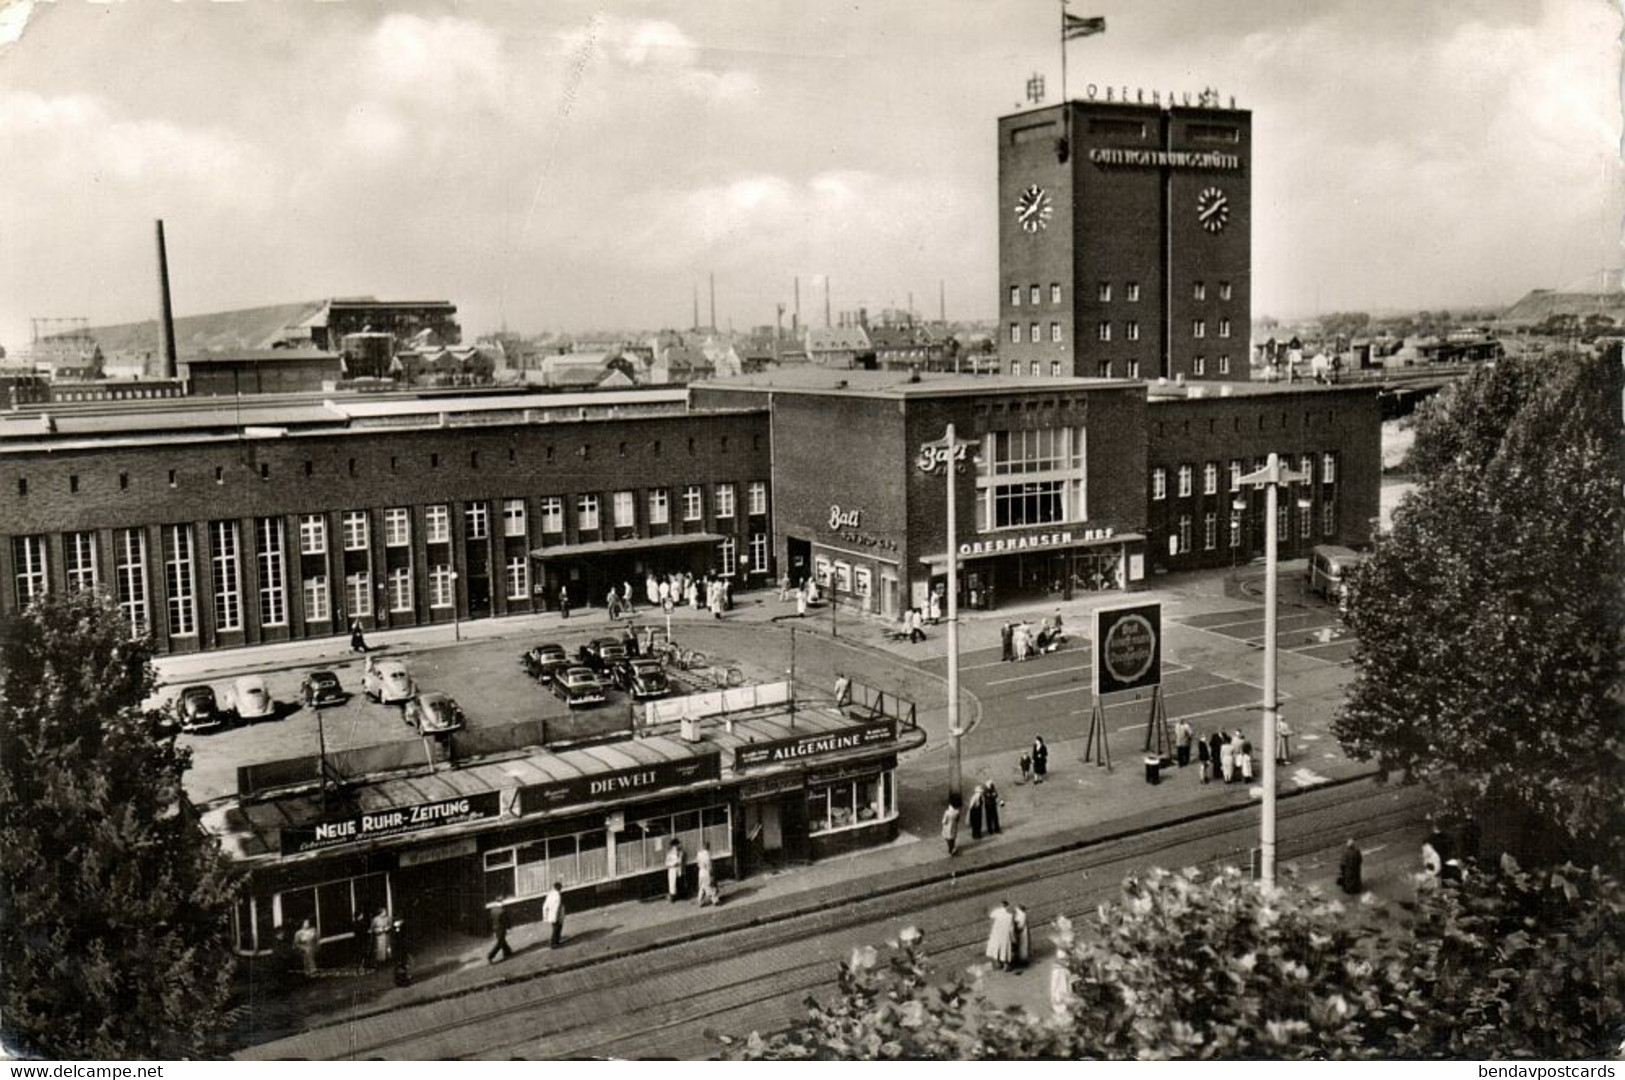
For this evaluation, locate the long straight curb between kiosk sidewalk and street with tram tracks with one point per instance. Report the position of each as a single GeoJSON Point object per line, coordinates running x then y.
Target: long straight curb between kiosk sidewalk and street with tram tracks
{"type": "Point", "coordinates": [843, 894]}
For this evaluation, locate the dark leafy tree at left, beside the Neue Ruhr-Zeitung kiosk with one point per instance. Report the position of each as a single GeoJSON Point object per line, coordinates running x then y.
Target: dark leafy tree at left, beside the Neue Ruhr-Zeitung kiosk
{"type": "Point", "coordinates": [115, 904]}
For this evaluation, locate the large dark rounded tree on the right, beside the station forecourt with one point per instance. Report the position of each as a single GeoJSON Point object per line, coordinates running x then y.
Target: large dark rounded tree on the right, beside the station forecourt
{"type": "Point", "coordinates": [1489, 620]}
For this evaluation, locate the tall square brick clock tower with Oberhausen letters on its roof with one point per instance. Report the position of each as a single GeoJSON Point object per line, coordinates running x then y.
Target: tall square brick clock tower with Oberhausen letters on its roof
{"type": "Point", "coordinates": [1125, 240]}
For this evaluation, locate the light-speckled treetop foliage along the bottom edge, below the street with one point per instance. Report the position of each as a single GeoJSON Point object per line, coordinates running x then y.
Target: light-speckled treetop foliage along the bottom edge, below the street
{"type": "Point", "coordinates": [1510, 964]}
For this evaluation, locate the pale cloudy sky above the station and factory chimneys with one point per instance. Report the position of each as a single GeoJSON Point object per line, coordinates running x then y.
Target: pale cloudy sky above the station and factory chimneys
{"type": "Point", "coordinates": [576, 166]}
